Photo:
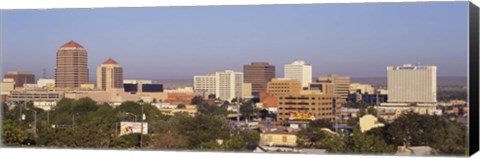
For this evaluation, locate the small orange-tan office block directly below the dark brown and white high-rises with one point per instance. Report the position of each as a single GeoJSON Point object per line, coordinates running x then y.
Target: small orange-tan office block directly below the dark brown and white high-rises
{"type": "Point", "coordinates": [283, 86]}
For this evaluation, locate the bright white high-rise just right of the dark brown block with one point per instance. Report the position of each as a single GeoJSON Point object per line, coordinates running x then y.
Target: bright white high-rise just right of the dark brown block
{"type": "Point", "coordinates": [300, 71]}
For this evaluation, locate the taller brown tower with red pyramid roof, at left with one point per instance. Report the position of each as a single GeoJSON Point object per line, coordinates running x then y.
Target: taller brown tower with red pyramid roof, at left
{"type": "Point", "coordinates": [72, 66]}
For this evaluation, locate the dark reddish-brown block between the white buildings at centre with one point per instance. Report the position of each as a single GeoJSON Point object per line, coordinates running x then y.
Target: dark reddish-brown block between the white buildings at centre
{"type": "Point", "coordinates": [258, 74]}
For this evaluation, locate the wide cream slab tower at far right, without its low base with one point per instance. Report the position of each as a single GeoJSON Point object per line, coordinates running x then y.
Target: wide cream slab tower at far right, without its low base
{"type": "Point", "coordinates": [412, 84]}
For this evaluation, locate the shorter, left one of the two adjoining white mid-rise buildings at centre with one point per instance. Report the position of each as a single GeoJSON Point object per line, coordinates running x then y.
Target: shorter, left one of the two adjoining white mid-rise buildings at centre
{"type": "Point", "coordinates": [205, 85]}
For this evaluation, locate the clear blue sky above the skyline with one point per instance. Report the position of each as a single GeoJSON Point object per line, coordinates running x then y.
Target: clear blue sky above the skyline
{"type": "Point", "coordinates": [357, 40]}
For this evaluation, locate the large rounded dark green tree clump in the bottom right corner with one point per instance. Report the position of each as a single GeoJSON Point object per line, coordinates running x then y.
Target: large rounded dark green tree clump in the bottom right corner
{"type": "Point", "coordinates": [444, 136]}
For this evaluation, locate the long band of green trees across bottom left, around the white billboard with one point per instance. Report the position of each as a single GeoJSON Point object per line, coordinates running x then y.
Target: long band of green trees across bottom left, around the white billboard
{"type": "Point", "coordinates": [85, 124]}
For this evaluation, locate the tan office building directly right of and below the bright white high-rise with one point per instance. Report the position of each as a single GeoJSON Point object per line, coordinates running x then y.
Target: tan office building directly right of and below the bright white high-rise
{"type": "Point", "coordinates": [341, 84]}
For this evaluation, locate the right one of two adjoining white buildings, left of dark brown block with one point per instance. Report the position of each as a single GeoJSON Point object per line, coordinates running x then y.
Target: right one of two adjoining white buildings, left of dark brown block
{"type": "Point", "coordinates": [229, 84]}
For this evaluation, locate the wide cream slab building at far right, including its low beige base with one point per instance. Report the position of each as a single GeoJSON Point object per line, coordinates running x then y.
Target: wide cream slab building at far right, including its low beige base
{"type": "Point", "coordinates": [410, 85]}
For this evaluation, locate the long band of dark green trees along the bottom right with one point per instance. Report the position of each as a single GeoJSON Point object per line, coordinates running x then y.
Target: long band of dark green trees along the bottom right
{"type": "Point", "coordinates": [445, 137]}
